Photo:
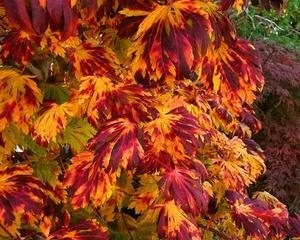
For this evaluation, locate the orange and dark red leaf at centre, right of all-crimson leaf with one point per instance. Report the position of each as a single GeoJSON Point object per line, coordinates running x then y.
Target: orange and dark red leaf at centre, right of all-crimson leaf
{"type": "Point", "coordinates": [172, 136]}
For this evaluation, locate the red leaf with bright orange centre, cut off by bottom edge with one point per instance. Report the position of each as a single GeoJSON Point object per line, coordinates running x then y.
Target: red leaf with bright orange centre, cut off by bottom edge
{"type": "Point", "coordinates": [173, 224]}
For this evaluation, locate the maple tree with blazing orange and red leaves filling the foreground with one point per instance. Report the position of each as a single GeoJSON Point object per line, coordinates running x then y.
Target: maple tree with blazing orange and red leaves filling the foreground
{"type": "Point", "coordinates": [130, 120]}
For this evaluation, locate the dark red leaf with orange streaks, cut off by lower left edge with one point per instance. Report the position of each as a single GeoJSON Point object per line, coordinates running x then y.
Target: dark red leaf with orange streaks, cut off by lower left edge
{"type": "Point", "coordinates": [20, 193]}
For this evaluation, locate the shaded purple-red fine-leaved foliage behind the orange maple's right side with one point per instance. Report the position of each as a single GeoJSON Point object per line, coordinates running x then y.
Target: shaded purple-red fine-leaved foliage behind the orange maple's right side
{"type": "Point", "coordinates": [279, 109]}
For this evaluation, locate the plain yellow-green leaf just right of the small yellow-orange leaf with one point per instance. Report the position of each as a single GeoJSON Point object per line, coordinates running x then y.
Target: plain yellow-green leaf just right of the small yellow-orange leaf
{"type": "Point", "coordinates": [77, 133]}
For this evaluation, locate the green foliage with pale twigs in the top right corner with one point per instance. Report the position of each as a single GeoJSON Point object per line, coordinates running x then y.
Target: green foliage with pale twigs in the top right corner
{"type": "Point", "coordinates": [271, 25]}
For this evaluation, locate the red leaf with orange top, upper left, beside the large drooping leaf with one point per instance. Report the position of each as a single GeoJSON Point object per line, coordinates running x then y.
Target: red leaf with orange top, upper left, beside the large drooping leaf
{"type": "Point", "coordinates": [89, 59]}
